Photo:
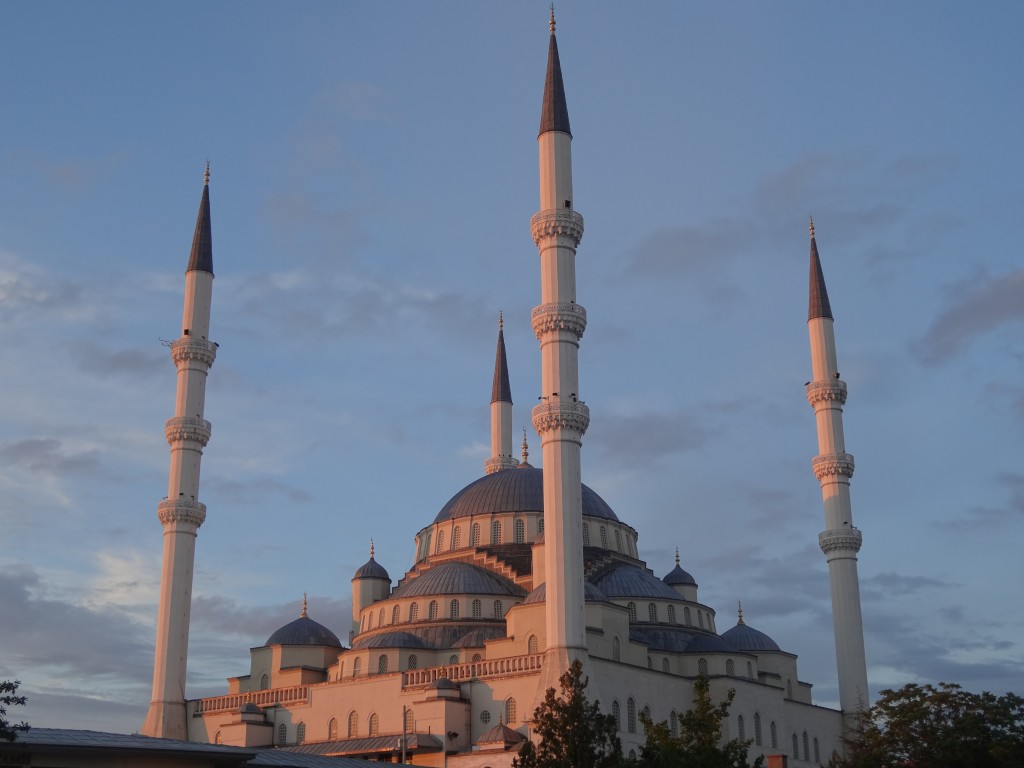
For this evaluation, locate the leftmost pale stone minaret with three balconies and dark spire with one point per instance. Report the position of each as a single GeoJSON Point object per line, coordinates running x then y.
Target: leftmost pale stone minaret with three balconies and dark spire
{"type": "Point", "coordinates": [182, 514]}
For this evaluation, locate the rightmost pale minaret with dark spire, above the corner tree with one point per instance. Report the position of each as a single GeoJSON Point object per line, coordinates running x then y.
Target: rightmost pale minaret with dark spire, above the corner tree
{"type": "Point", "coordinates": [834, 467]}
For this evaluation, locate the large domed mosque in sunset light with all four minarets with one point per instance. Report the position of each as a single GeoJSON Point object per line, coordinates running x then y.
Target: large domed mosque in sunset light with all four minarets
{"type": "Point", "coordinates": [523, 572]}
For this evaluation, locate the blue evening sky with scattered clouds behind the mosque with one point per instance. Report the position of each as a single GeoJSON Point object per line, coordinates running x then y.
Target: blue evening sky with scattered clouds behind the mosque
{"type": "Point", "coordinates": [374, 170]}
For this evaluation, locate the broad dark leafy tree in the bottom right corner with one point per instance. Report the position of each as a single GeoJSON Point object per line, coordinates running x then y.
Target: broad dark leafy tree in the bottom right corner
{"type": "Point", "coordinates": [922, 727]}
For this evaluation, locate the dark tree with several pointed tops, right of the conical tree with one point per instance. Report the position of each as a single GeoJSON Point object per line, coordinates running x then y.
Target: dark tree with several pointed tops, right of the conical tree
{"type": "Point", "coordinates": [699, 744]}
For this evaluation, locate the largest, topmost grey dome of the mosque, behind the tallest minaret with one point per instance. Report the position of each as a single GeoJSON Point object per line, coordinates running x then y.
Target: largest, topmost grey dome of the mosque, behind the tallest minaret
{"type": "Point", "coordinates": [518, 490]}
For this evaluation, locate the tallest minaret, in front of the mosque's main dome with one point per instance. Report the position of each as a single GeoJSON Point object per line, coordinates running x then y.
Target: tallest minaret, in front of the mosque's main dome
{"type": "Point", "coordinates": [561, 419]}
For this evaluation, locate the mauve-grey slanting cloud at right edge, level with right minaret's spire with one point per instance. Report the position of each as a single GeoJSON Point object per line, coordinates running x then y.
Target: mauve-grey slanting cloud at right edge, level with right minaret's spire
{"type": "Point", "coordinates": [976, 310]}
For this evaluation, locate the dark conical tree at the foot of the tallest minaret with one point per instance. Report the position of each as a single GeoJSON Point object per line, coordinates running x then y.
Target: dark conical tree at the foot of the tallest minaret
{"type": "Point", "coordinates": [573, 732]}
